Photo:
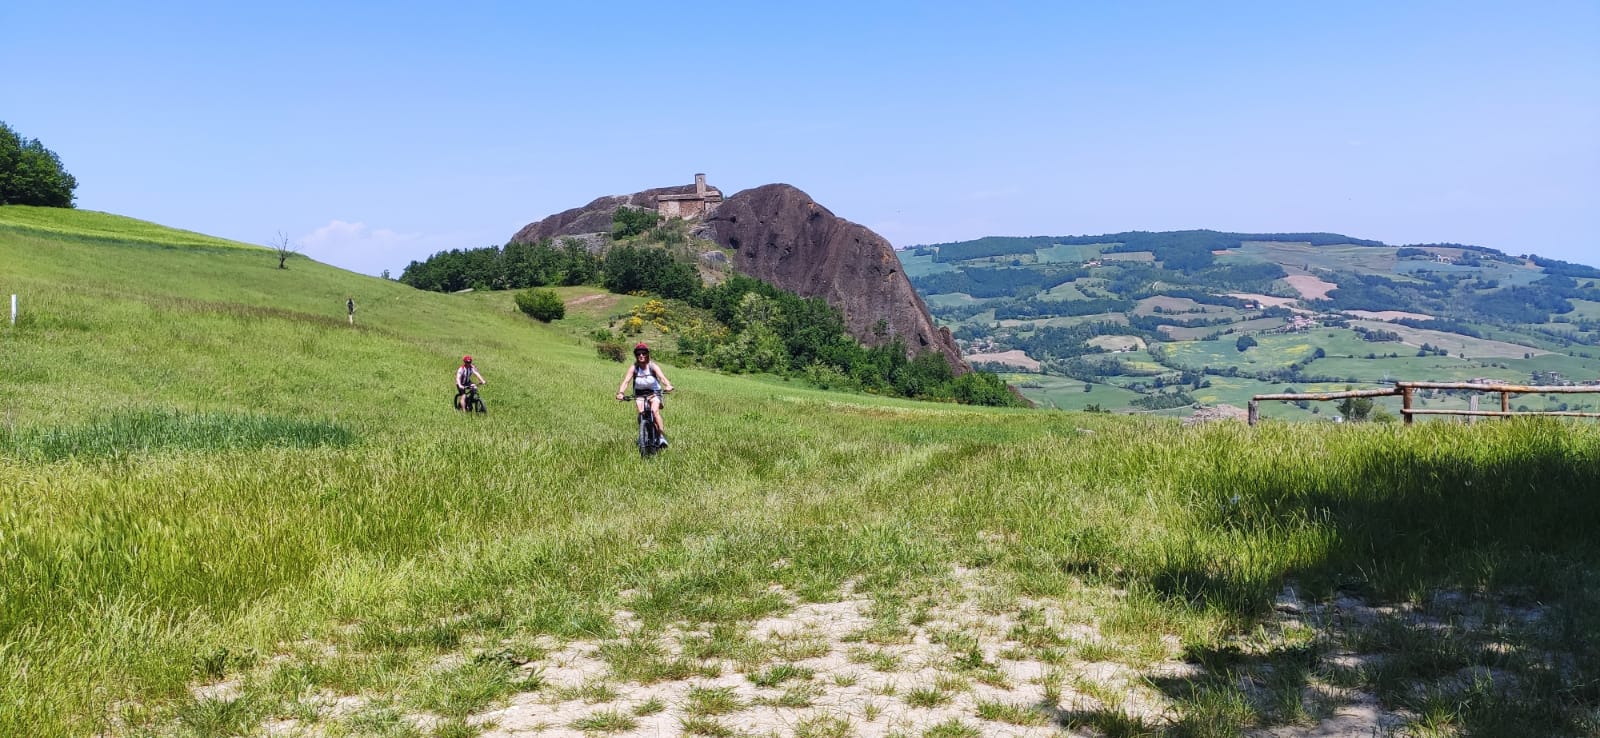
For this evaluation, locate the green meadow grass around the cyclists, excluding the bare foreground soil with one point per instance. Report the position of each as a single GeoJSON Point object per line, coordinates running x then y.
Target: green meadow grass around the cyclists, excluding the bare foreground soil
{"type": "Point", "coordinates": [262, 492]}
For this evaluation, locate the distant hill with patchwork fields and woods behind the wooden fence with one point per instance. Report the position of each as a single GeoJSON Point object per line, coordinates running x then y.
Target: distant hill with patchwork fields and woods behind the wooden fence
{"type": "Point", "coordinates": [1169, 321]}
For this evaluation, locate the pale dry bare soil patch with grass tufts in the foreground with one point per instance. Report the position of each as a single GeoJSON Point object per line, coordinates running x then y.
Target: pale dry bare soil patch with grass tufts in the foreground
{"type": "Point", "coordinates": [974, 656]}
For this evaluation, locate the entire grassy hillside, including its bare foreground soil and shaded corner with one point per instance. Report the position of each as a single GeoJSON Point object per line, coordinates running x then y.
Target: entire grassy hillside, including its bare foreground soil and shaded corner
{"type": "Point", "coordinates": [225, 510]}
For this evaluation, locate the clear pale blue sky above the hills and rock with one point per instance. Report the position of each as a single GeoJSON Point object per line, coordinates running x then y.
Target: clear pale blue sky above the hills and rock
{"type": "Point", "coordinates": [378, 134]}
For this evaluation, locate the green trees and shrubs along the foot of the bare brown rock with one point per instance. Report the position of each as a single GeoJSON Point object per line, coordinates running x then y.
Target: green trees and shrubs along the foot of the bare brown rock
{"type": "Point", "coordinates": [770, 331]}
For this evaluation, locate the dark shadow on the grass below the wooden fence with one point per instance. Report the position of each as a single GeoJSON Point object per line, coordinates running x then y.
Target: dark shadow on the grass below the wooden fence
{"type": "Point", "coordinates": [1490, 553]}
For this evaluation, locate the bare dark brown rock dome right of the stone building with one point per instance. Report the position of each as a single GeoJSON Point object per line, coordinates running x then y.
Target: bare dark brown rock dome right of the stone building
{"type": "Point", "coordinates": [783, 236]}
